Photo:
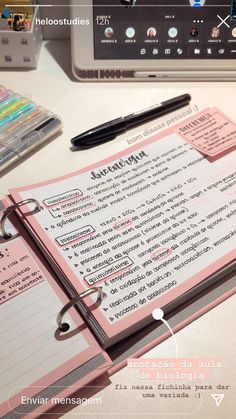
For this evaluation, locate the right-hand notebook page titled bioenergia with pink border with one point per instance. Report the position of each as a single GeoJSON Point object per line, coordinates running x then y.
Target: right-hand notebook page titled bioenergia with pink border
{"type": "Point", "coordinates": [151, 225]}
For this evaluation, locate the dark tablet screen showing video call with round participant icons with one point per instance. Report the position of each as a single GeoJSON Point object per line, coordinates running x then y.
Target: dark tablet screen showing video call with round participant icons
{"type": "Point", "coordinates": [164, 29]}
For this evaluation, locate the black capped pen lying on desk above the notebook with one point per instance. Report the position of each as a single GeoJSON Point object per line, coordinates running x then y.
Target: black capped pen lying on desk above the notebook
{"type": "Point", "coordinates": [109, 130]}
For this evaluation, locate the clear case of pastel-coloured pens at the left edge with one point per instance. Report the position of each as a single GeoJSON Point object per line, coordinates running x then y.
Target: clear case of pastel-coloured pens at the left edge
{"type": "Point", "coordinates": [24, 126]}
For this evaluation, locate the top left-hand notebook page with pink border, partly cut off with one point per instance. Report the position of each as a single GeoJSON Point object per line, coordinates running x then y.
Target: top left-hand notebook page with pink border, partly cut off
{"type": "Point", "coordinates": [32, 353]}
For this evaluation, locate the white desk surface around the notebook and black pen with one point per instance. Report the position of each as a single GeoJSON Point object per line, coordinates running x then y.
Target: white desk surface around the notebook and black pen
{"type": "Point", "coordinates": [84, 105]}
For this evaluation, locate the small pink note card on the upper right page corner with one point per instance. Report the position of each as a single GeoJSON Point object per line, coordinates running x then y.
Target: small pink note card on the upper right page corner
{"type": "Point", "coordinates": [210, 131]}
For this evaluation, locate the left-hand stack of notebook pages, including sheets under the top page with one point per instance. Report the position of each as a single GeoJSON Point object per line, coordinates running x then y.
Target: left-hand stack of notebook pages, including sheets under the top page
{"type": "Point", "coordinates": [38, 364]}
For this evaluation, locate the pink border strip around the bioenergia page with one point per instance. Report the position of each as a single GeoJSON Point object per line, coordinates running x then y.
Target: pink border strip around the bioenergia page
{"type": "Point", "coordinates": [132, 319]}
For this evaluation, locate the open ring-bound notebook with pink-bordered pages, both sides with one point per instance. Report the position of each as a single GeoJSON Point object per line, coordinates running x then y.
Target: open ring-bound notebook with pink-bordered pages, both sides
{"type": "Point", "coordinates": [153, 226]}
